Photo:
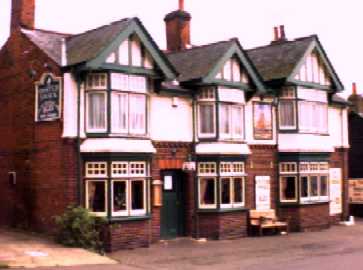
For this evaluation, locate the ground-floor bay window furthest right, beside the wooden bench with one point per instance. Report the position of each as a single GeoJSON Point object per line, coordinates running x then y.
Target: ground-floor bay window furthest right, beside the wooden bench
{"type": "Point", "coordinates": [310, 177]}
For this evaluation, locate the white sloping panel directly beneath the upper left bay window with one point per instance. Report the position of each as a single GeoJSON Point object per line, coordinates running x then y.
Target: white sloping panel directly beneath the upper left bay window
{"type": "Point", "coordinates": [117, 145]}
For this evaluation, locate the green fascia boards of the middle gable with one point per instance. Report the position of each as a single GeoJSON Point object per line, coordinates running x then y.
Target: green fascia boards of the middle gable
{"type": "Point", "coordinates": [236, 49]}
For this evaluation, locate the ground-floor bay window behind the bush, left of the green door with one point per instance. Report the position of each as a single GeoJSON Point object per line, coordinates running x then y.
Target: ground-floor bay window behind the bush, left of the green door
{"type": "Point", "coordinates": [128, 184]}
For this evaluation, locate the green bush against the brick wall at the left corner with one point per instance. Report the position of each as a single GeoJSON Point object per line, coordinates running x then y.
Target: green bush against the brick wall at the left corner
{"type": "Point", "coordinates": [78, 228]}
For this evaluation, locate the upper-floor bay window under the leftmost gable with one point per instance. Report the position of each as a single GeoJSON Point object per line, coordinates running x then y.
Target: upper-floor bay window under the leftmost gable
{"type": "Point", "coordinates": [128, 104]}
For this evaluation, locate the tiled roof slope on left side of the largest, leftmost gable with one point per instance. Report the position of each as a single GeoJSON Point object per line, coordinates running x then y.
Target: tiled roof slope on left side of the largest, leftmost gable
{"type": "Point", "coordinates": [88, 45]}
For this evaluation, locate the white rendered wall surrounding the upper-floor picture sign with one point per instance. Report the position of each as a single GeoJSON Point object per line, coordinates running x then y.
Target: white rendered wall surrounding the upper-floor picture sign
{"type": "Point", "coordinates": [249, 125]}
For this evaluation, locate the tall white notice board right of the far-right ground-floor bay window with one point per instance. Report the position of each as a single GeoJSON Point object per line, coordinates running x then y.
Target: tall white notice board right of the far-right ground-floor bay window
{"type": "Point", "coordinates": [335, 187]}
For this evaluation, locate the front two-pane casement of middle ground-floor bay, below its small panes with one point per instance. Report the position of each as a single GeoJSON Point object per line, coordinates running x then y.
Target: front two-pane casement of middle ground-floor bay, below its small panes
{"type": "Point", "coordinates": [232, 192]}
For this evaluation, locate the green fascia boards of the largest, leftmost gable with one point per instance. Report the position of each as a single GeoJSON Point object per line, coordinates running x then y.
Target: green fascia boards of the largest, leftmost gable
{"type": "Point", "coordinates": [136, 27]}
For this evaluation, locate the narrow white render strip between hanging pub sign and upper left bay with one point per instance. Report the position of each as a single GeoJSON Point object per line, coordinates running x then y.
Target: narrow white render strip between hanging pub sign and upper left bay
{"type": "Point", "coordinates": [70, 106]}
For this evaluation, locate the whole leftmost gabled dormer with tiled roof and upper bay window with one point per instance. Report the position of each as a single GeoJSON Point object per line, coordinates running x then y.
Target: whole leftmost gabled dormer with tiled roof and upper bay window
{"type": "Point", "coordinates": [119, 65]}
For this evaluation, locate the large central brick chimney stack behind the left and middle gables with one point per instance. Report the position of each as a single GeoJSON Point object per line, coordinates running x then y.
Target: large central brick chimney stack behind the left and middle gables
{"type": "Point", "coordinates": [178, 29]}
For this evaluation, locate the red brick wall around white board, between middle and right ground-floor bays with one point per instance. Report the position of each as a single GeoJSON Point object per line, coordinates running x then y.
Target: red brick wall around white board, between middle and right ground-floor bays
{"type": "Point", "coordinates": [261, 162]}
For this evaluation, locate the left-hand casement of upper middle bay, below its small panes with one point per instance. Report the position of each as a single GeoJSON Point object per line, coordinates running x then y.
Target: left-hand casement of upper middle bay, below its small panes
{"type": "Point", "coordinates": [206, 120]}
